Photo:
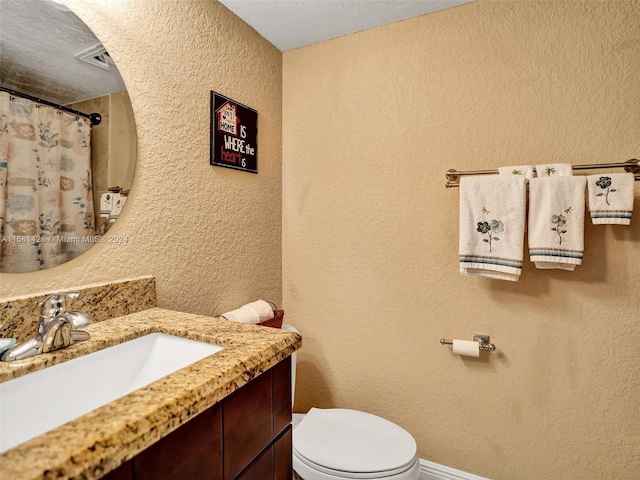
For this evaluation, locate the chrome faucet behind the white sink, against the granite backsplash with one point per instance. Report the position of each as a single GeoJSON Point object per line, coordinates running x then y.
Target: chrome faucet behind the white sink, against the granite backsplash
{"type": "Point", "coordinates": [57, 328]}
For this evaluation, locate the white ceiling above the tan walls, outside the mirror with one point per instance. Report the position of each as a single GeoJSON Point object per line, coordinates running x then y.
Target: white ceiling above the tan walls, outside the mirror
{"type": "Point", "coordinates": [290, 24]}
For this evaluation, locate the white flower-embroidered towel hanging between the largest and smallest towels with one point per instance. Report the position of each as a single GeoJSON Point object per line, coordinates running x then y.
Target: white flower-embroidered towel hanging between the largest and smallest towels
{"type": "Point", "coordinates": [556, 222]}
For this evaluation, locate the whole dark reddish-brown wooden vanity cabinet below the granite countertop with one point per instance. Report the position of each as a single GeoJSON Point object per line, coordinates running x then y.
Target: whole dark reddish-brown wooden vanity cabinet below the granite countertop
{"type": "Point", "coordinates": [246, 436]}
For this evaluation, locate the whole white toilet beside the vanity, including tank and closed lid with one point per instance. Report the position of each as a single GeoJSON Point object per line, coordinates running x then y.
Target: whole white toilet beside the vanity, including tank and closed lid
{"type": "Point", "coordinates": [342, 444]}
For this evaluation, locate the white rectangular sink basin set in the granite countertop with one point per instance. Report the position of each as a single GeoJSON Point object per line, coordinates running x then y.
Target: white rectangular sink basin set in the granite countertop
{"type": "Point", "coordinates": [38, 402]}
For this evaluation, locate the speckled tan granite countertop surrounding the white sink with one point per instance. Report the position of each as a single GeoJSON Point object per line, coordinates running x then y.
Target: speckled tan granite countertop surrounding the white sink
{"type": "Point", "coordinates": [99, 441]}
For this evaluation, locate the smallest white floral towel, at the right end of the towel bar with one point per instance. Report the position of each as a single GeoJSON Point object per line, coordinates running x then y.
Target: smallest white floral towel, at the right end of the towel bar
{"type": "Point", "coordinates": [611, 198]}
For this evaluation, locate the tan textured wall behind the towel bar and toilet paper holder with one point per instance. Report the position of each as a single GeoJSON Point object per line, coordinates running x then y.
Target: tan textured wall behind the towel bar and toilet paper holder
{"type": "Point", "coordinates": [371, 123]}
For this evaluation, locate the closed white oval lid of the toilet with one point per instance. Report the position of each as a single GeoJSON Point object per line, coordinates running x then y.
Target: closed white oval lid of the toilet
{"type": "Point", "coordinates": [352, 441]}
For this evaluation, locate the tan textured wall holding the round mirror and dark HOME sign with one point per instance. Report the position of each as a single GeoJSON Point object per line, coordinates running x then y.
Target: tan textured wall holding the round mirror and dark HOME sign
{"type": "Point", "coordinates": [211, 236]}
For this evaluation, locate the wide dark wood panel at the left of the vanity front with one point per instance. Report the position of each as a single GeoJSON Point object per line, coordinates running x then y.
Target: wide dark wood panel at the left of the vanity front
{"type": "Point", "coordinates": [193, 451]}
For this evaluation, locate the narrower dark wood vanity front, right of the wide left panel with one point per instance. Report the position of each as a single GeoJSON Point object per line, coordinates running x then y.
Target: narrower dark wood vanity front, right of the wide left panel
{"type": "Point", "coordinates": [247, 427]}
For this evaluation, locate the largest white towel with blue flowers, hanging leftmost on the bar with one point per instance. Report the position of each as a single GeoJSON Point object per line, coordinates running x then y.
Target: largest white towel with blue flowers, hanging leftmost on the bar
{"type": "Point", "coordinates": [492, 218]}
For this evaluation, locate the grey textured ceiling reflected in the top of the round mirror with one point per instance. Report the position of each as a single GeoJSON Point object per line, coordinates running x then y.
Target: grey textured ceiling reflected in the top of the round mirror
{"type": "Point", "coordinates": [38, 41]}
